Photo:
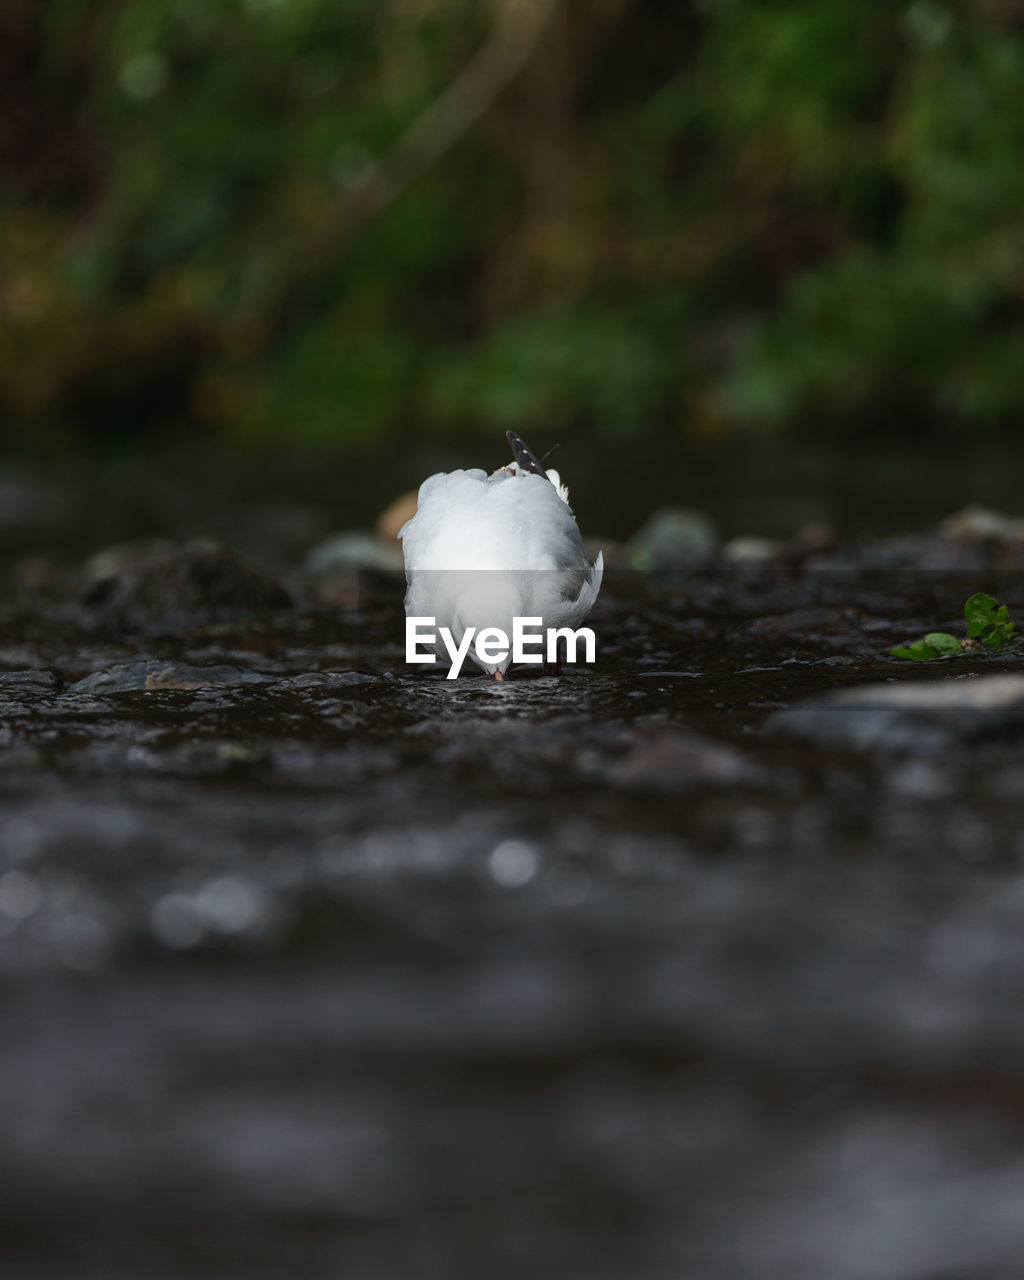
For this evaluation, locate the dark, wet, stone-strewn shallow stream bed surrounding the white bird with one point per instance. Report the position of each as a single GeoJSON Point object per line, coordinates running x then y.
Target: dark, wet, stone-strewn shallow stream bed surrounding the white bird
{"type": "Point", "coordinates": [698, 964]}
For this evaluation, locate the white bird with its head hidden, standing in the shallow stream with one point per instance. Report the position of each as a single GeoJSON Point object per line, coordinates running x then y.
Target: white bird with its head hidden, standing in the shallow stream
{"type": "Point", "coordinates": [486, 550]}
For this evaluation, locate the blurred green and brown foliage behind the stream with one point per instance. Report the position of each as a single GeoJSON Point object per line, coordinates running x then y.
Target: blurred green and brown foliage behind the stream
{"type": "Point", "coordinates": [700, 218]}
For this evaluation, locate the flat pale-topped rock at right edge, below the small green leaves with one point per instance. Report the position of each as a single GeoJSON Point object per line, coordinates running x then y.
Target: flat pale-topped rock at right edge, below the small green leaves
{"type": "Point", "coordinates": [909, 716]}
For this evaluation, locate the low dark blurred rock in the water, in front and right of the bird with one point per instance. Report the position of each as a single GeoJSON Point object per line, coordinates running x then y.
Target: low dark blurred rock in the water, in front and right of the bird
{"type": "Point", "coordinates": [682, 761]}
